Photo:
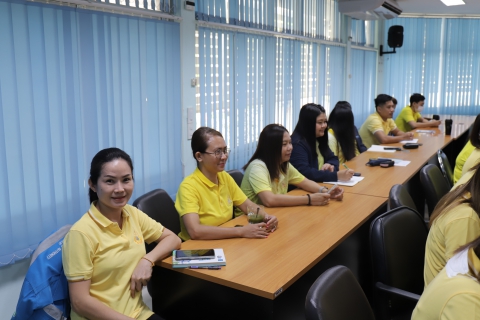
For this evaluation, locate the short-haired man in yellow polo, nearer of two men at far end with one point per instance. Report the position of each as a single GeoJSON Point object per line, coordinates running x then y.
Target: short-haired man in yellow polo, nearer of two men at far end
{"type": "Point", "coordinates": [379, 125]}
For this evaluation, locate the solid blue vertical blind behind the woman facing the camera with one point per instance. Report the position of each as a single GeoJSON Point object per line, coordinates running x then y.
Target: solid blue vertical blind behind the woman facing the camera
{"type": "Point", "coordinates": [74, 82]}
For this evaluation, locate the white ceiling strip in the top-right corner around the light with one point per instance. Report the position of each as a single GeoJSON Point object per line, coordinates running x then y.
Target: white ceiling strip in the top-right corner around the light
{"type": "Point", "coordinates": [436, 7]}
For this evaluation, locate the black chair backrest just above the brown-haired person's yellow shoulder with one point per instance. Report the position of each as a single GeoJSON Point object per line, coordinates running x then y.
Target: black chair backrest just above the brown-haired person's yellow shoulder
{"type": "Point", "coordinates": [434, 185]}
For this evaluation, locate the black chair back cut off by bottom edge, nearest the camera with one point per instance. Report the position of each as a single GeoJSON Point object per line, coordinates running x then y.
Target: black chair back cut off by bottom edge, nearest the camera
{"type": "Point", "coordinates": [336, 295]}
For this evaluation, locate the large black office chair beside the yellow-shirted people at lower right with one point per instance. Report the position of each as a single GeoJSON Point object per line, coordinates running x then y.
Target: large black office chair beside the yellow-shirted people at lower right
{"type": "Point", "coordinates": [397, 243]}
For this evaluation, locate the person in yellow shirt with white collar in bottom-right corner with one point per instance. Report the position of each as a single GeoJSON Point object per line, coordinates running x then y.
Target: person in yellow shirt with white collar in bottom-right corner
{"type": "Point", "coordinates": [455, 291]}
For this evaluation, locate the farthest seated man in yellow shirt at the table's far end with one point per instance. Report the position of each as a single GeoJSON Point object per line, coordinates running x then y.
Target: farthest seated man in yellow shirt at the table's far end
{"type": "Point", "coordinates": [410, 118]}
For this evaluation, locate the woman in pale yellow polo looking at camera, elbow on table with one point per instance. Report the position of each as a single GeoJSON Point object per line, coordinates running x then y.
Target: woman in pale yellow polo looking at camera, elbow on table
{"type": "Point", "coordinates": [104, 256]}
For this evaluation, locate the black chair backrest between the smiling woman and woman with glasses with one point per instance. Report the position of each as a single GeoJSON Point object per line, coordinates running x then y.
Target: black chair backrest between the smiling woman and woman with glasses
{"type": "Point", "coordinates": [160, 207]}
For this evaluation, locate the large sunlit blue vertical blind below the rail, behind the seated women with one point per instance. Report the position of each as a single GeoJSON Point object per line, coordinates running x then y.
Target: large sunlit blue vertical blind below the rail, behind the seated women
{"type": "Point", "coordinates": [248, 81]}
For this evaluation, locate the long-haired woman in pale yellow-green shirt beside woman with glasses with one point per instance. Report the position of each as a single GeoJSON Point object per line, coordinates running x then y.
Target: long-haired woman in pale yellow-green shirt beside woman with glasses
{"type": "Point", "coordinates": [269, 172]}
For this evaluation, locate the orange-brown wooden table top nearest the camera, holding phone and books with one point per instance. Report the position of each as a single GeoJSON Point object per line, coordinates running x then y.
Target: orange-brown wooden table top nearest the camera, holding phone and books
{"type": "Point", "coordinates": [305, 235]}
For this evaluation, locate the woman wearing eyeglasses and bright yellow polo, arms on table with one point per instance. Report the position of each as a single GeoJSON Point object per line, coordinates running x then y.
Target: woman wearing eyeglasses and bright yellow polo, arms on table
{"type": "Point", "coordinates": [205, 199]}
